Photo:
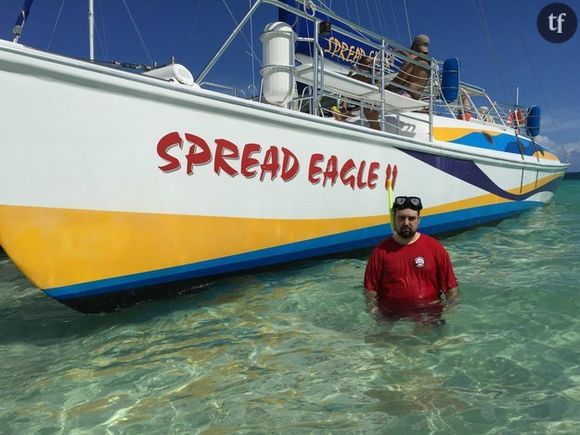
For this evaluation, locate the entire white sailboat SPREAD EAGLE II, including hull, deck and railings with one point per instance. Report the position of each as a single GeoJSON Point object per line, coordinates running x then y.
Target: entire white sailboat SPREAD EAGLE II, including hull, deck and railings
{"type": "Point", "coordinates": [175, 181]}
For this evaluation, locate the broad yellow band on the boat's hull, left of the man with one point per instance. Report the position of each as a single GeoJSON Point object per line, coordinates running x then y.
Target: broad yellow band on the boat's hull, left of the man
{"type": "Point", "coordinates": [59, 247]}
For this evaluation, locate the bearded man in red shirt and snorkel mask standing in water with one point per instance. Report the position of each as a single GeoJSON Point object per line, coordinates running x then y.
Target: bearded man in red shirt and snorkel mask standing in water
{"type": "Point", "coordinates": [408, 273]}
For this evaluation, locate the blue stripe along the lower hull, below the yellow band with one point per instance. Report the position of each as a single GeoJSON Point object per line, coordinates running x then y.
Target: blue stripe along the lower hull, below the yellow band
{"type": "Point", "coordinates": [352, 240]}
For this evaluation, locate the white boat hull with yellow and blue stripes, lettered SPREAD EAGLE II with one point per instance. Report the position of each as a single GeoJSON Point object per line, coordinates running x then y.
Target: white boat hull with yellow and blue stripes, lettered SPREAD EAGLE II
{"type": "Point", "coordinates": [98, 196]}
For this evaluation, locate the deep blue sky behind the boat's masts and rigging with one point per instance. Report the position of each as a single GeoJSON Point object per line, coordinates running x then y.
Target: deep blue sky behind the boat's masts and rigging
{"type": "Point", "coordinates": [497, 42]}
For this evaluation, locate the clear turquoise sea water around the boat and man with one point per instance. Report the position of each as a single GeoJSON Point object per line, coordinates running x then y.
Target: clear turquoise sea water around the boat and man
{"type": "Point", "coordinates": [295, 351]}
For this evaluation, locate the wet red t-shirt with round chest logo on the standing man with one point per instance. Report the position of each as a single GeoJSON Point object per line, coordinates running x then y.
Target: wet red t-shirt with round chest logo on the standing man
{"type": "Point", "coordinates": [409, 275]}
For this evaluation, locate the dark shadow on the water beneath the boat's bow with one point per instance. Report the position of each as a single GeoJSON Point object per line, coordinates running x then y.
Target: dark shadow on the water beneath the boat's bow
{"type": "Point", "coordinates": [27, 315]}
